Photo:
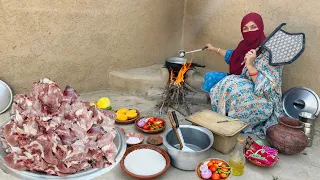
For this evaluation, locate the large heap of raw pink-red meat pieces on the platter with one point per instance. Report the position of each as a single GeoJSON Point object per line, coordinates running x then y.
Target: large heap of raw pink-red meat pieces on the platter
{"type": "Point", "coordinates": [54, 132]}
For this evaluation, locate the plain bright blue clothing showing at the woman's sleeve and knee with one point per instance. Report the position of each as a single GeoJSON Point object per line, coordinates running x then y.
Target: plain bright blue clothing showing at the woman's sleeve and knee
{"type": "Point", "coordinates": [212, 78]}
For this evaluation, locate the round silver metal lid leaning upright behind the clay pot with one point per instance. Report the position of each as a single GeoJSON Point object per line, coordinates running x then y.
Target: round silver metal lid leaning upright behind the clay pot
{"type": "Point", "coordinates": [300, 99]}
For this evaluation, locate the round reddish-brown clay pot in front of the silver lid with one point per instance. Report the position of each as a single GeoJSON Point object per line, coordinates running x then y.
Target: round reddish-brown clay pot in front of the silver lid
{"type": "Point", "coordinates": [287, 136]}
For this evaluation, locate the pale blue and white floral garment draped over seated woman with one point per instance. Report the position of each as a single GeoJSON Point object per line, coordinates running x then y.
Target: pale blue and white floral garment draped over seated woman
{"type": "Point", "coordinates": [257, 103]}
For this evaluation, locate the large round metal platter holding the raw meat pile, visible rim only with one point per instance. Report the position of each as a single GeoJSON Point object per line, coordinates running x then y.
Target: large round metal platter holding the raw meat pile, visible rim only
{"type": "Point", "coordinates": [119, 141]}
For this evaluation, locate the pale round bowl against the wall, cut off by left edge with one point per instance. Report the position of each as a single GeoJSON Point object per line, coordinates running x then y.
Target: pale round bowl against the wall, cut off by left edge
{"type": "Point", "coordinates": [5, 97]}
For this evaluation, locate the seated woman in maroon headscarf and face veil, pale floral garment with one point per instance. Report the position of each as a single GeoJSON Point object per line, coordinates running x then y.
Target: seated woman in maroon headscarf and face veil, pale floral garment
{"type": "Point", "coordinates": [254, 96]}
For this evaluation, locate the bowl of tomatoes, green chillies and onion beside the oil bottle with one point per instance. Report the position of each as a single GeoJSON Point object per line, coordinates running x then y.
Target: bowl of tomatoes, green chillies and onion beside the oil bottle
{"type": "Point", "coordinates": [213, 169]}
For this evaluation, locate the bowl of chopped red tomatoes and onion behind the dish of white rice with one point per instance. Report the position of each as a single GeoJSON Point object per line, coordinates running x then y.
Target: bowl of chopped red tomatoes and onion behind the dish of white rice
{"type": "Point", "coordinates": [150, 124]}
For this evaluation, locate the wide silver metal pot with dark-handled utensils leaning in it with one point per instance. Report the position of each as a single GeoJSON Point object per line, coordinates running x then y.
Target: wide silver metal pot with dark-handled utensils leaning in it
{"type": "Point", "coordinates": [197, 138]}
